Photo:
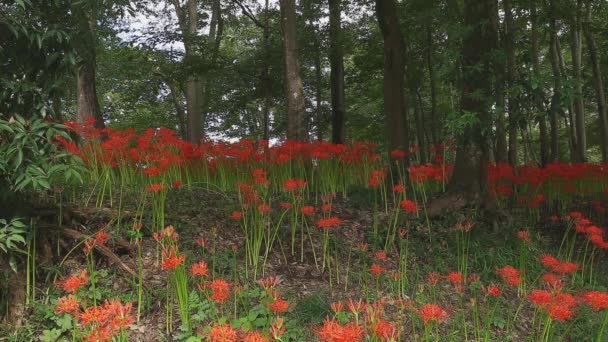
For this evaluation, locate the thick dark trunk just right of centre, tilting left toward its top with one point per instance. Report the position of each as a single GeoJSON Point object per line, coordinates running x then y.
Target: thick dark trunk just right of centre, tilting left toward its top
{"type": "Point", "coordinates": [394, 70]}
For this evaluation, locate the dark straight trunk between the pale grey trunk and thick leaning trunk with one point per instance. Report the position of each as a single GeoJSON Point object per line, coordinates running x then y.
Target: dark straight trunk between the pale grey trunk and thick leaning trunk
{"type": "Point", "coordinates": [336, 61]}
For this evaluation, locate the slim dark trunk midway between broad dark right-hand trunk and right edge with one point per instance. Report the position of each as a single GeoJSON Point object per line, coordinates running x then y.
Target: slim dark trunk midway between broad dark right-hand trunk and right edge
{"type": "Point", "coordinates": [538, 92]}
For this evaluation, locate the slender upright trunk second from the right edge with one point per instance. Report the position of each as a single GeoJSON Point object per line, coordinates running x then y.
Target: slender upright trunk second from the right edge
{"type": "Point", "coordinates": [579, 110]}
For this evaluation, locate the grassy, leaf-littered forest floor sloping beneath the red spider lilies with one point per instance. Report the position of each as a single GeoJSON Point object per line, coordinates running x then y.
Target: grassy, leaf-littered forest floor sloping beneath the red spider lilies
{"type": "Point", "coordinates": [432, 263]}
